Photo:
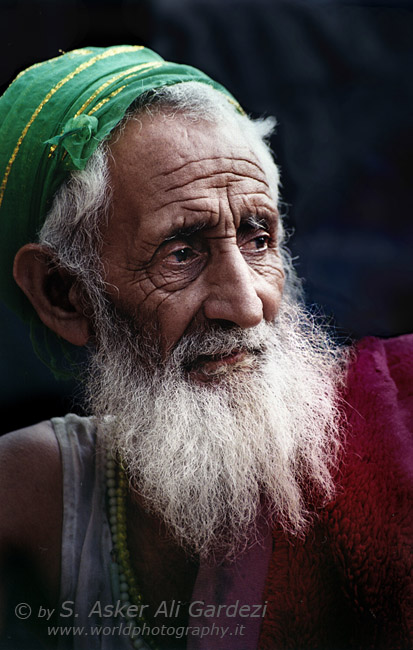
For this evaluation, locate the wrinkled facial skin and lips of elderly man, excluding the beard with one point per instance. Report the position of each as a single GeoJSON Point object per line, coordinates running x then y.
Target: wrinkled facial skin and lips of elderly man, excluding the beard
{"type": "Point", "coordinates": [191, 241]}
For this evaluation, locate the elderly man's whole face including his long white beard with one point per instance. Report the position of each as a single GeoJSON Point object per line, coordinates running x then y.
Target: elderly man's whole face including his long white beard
{"type": "Point", "coordinates": [191, 248]}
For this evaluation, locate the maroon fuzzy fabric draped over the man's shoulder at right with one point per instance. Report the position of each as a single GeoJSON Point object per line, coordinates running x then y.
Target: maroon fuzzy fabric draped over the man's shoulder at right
{"type": "Point", "coordinates": [349, 584]}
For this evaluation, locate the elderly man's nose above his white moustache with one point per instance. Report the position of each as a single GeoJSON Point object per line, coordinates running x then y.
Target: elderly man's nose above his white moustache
{"type": "Point", "coordinates": [232, 295]}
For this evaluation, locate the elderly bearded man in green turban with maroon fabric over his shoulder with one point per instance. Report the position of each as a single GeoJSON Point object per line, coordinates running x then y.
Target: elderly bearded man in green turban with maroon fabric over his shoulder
{"type": "Point", "coordinates": [242, 482]}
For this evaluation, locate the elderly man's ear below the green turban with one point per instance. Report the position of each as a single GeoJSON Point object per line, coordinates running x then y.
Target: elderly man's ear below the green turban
{"type": "Point", "coordinates": [53, 292]}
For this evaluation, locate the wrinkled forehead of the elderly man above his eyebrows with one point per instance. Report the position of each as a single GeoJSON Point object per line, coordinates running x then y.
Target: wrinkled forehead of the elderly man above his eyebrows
{"type": "Point", "coordinates": [174, 154]}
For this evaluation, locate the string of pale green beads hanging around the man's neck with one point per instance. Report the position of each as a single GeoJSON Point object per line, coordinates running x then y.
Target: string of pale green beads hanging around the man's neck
{"type": "Point", "coordinates": [122, 576]}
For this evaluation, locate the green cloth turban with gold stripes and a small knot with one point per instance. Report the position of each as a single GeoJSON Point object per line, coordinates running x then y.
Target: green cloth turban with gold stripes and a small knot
{"type": "Point", "coordinates": [52, 118]}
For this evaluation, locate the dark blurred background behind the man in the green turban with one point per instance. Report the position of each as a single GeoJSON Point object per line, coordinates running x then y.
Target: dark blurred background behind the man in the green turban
{"type": "Point", "coordinates": [337, 76]}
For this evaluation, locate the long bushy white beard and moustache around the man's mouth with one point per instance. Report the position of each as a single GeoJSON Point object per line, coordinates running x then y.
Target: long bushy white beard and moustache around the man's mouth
{"type": "Point", "coordinates": [207, 457]}
